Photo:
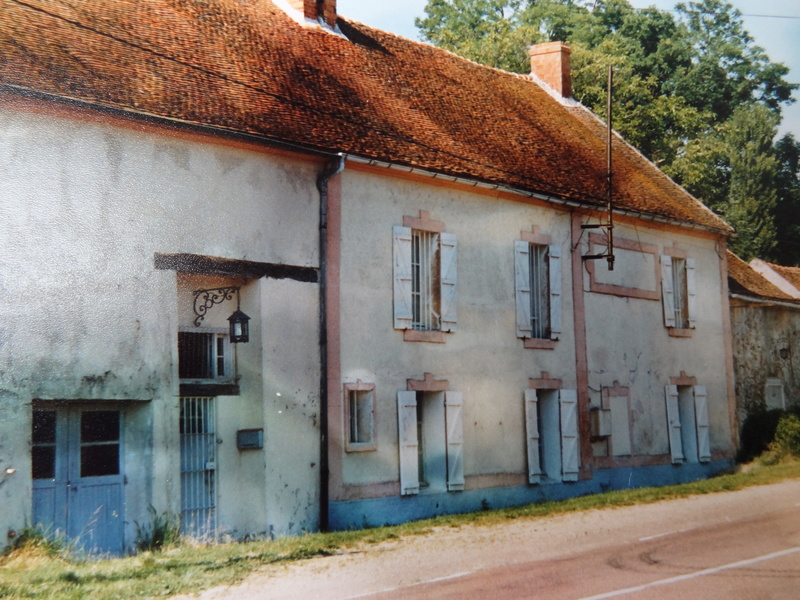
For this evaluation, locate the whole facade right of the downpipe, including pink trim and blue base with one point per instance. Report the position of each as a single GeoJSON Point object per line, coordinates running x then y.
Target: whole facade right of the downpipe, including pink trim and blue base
{"type": "Point", "coordinates": [614, 349]}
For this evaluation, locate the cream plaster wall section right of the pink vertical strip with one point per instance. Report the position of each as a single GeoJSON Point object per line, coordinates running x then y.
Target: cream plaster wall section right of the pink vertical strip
{"type": "Point", "coordinates": [629, 344]}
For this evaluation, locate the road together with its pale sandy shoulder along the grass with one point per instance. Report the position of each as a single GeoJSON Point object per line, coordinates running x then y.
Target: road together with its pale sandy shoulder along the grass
{"type": "Point", "coordinates": [741, 545]}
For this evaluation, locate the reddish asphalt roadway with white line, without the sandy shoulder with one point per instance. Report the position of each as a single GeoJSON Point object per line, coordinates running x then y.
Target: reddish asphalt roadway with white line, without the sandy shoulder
{"type": "Point", "coordinates": [741, 559]}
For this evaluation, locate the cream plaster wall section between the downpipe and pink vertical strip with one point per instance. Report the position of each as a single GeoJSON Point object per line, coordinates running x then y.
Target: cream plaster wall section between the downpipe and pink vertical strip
{"type": "Point", "coordinates": [483, 359]}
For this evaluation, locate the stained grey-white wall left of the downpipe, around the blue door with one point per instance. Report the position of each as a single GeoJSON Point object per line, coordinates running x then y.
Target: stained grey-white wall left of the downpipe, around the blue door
{"type": "Point", "coordinates": [86, 205]}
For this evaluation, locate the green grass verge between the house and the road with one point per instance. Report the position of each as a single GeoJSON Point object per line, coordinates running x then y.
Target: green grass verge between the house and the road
{"type": "Point", "coordinates": [34, 572]}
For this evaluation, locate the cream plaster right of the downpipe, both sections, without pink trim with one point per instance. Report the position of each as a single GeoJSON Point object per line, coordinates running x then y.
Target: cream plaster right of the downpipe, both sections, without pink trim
{"type": "Point", "coordinates": [627, 342]}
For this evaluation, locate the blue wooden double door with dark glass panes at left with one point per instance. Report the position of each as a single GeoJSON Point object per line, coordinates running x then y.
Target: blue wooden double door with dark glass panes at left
{"type": "Point", "coordinates": [77, 476]}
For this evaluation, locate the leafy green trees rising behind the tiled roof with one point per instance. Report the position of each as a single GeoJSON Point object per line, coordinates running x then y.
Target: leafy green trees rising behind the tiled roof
{"type": "Point", "coordinates": [693, 92]}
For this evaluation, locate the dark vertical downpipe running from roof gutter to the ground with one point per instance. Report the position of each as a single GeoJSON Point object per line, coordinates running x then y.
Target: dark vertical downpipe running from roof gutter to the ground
{"type": "Point", "coordinates": [332, 168]}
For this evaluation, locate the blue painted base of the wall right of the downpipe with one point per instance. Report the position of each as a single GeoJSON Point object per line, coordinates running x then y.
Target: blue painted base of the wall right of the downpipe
{"type": "Point", "coordinates": [375, 512]}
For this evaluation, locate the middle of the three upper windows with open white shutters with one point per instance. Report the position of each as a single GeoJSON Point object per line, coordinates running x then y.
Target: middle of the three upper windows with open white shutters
{"type": "Point", "coordinates": [538, 290]}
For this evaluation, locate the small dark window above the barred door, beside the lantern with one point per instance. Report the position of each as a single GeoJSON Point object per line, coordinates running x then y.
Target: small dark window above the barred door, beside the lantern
{"type": "Point", "coordinates": [204, 355]}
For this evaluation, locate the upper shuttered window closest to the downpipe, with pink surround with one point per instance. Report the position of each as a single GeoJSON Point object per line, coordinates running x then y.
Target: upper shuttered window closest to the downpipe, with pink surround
{"type": "Point", "coordinates": [424, 278]}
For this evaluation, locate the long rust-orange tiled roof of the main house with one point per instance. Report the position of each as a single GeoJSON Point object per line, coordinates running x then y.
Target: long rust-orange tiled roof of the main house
{"type": "Point", "coordinates": [245, 66]}
